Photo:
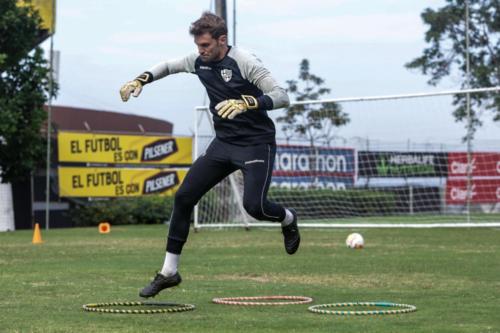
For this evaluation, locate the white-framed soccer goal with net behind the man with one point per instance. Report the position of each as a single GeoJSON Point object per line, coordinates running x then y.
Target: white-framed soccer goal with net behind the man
{"type": "Point", "coordinates": [400, 161]}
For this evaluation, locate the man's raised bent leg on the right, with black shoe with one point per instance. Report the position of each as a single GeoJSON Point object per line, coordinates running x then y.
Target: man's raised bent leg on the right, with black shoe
{"type": "Point", "coordinates": [257, 166]}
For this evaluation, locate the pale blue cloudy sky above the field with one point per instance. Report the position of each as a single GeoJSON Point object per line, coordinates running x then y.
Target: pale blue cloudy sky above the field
{"type": "Point", "coordinates": [358, 47]}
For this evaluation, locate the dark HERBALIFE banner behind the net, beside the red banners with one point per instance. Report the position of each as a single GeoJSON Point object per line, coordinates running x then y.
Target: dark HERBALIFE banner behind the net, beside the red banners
{"type": "Point", "coordinates": [402, 164]}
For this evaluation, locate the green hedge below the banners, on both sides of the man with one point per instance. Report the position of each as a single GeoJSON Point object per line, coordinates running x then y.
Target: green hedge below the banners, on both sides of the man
{"type": "Point", "coordinates": [312, 203]}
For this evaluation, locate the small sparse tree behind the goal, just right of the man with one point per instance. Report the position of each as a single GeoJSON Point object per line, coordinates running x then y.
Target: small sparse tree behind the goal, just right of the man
{"type": "Point", "coordinates": [311, 121]}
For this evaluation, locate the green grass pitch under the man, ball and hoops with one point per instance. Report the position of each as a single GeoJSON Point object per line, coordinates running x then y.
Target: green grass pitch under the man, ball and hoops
{"type": "Point", "coordinates": [451, 275]}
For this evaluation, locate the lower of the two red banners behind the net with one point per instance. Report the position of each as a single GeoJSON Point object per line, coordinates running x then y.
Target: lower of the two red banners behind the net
{"type": "Point", "coordinates": [482, 191]}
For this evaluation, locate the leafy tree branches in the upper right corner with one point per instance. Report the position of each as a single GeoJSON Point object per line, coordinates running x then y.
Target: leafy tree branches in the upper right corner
{"type": "Point", "coordinates": [446, 53]}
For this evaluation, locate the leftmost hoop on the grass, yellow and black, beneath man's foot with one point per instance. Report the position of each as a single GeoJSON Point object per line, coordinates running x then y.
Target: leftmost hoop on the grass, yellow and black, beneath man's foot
{"type": "Point", "coordinates": [160, 307]}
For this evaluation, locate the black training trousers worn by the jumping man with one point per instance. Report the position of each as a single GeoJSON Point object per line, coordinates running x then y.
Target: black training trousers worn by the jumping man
{"type": "Point", "coordinates": [220, 160]}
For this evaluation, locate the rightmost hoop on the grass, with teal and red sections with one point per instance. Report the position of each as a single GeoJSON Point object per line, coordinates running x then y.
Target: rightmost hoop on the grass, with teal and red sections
{"type": "Point", "coordinates": [401, 308]}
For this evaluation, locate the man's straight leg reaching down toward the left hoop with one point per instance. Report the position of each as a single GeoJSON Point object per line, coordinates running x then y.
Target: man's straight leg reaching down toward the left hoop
{"type": "Point", "coordinates": [205, 173]}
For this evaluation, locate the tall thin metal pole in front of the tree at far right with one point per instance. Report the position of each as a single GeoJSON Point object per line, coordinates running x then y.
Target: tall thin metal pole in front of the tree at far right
{"type": "Point", "coordinates": [469, 115]}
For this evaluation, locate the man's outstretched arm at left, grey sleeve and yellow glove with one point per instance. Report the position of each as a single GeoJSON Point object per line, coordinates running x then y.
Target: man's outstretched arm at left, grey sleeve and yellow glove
{"type": "Point", "coordinates": [157, 72]}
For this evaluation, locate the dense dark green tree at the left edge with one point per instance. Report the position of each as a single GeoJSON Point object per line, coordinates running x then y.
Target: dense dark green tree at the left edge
{"type": "Point", "coordinates": [24, 88]}
